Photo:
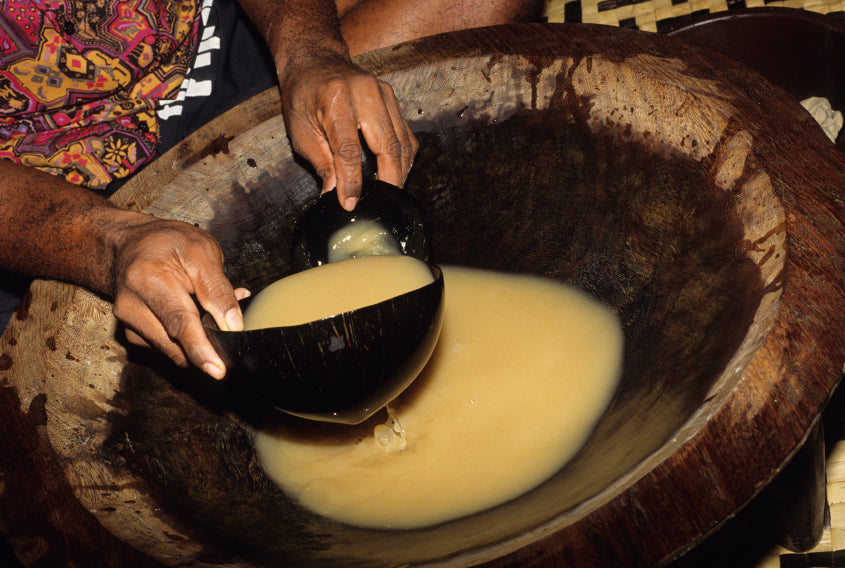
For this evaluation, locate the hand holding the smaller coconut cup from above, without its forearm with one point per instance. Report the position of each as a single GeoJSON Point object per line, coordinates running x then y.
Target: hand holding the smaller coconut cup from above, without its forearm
{"type": "Point", "coordinates": [325, 103]}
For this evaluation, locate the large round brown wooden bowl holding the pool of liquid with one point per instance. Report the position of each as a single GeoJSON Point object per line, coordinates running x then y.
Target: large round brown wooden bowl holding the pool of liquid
{"type": "Point", "coordinates": [691, 195]}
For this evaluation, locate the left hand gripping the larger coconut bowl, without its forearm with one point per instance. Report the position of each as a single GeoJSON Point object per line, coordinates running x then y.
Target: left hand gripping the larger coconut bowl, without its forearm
{"type": "Point", "coordinates": [160, 266]}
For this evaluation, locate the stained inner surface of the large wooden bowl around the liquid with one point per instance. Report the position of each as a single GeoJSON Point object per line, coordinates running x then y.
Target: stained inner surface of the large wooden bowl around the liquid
{"type": "Point", "coordinates": [659, 210]}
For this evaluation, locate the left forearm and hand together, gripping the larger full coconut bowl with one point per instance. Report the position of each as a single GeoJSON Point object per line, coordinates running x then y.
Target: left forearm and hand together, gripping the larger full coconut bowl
{"type": "Point", "coordinates": [150, 267]}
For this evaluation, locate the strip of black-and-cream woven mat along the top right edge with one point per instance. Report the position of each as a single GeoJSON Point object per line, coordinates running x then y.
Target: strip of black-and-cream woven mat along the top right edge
{"type": "Point", "coordinates": [657, 15]}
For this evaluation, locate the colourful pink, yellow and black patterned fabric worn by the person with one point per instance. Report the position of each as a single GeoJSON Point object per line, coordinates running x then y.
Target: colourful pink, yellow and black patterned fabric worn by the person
{"type": "Point", "coordinates": [80, 81]}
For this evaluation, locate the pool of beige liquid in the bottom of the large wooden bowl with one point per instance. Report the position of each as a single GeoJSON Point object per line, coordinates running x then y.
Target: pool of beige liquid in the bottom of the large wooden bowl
{"type": "Point", "coordinates": [523, 370]}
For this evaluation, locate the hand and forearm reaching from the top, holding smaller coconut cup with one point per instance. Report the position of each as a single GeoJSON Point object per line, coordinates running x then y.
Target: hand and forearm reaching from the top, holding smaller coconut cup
{"type": "Point", "coordinates": [326, 99]}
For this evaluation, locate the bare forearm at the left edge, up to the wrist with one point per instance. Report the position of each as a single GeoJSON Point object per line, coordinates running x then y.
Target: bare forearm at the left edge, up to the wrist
{"type": "Point", "coordinates": [54, 229]}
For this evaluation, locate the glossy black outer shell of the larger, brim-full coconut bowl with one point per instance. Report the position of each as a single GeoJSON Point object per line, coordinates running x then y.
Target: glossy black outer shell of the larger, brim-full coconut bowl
{"type": "Point", "coordinates": [342, 368]}
